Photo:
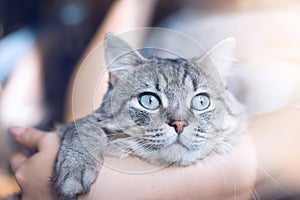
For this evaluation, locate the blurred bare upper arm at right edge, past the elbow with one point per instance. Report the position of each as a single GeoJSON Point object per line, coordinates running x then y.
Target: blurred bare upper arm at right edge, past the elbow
{"type": "Point", "coordinates": [277, 142]}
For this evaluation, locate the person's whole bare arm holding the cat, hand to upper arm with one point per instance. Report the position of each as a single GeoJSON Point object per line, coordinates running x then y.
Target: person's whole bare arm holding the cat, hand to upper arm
{"type": "Point", "coordinates": [228, 176]}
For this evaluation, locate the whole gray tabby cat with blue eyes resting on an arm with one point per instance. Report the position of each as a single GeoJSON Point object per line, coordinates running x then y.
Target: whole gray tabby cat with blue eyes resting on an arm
{"type": "Point", "coordinates": [164, 111]}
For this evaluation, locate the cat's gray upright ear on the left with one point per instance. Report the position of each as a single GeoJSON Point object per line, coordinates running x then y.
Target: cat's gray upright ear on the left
{"type": "Point", "coordinates": [120, 57]}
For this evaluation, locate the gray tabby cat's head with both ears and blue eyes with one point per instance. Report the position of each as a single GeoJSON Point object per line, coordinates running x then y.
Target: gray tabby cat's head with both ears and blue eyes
{"type": "Point", "coordinates": [168, 110]}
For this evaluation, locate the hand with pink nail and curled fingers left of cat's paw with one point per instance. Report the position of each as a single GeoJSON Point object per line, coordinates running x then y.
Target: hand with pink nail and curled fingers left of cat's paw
{"type": "Point", "coordinates": [33, 173]}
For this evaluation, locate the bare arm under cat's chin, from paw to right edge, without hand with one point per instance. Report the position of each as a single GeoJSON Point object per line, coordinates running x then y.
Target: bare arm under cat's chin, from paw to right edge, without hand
{"type": "Point", "coordinates": [265, 163]}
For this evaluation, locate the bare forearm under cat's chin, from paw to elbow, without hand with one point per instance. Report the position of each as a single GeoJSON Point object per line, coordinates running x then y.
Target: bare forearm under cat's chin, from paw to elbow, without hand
{"type": "Point", "coordinates": [220, 177]}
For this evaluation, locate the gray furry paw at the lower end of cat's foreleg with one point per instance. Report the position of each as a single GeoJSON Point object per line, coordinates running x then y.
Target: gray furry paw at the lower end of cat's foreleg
{"type": "Point", "coordinates": [73, 176]}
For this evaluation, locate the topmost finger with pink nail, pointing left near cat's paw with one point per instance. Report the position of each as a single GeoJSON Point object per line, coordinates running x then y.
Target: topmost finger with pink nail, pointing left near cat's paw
{"type": "Point", "coordinates": [27, 137]}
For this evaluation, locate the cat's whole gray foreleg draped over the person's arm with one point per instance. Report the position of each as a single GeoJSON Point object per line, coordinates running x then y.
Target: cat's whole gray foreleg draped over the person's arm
{"type": "Point", "coordinates": [80, 157]}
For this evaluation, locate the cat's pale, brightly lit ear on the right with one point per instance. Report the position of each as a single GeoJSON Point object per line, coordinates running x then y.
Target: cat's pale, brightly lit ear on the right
{"type": "Point", "coordinates": [222, 56]}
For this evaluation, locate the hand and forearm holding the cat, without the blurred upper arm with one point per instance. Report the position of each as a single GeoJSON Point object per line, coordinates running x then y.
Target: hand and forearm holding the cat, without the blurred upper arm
{"type": "Point", "coordinates": [204, 180]}
